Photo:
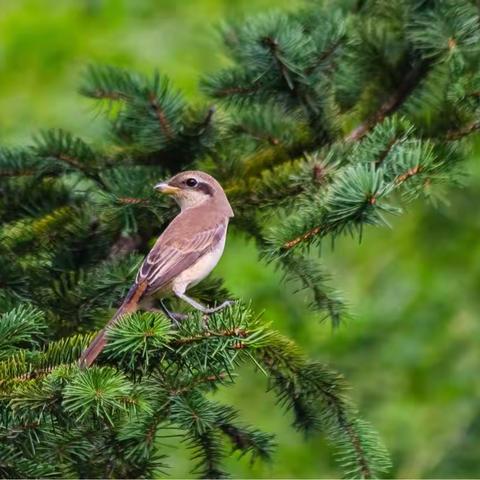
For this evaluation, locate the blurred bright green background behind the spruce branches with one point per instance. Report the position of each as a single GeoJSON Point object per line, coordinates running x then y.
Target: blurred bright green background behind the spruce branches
{"type": "Point", "coordinates": [411, 349]}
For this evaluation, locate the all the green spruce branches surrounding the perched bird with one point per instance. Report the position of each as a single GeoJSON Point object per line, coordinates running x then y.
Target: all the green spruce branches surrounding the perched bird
{"type": "Point", "coordinates": [328, 120]}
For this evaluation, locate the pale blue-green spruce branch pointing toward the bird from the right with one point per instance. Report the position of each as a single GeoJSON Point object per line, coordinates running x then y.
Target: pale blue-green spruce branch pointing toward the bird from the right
{"type": "Point", "coordinates": [387, 159]}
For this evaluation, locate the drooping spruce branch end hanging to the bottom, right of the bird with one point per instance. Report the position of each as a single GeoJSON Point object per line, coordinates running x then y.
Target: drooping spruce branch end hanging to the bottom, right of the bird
{"type": "Point", "coordinates": [316, 396]}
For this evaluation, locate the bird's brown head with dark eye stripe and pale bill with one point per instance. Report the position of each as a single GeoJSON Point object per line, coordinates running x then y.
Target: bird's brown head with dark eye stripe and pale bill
{"type": "Point", "coordinates": [193, 188]}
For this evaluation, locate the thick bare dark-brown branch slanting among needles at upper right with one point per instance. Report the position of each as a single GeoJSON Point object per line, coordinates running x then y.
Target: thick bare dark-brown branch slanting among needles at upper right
{"type": "Point", "coordinates": [392, 104]}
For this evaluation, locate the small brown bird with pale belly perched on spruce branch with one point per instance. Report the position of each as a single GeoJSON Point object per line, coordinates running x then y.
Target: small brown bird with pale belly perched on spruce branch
{"type": "Point", "coordinates": [183, 255]}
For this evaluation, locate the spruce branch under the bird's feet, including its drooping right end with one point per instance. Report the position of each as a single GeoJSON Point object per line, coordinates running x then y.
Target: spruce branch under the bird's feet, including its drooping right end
{"type": "Point", "coordinates": [107, 394]}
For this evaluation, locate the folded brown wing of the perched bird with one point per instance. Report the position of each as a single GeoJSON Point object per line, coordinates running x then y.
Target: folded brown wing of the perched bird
{"type": "Point", "coordinates": [169, 257]}
